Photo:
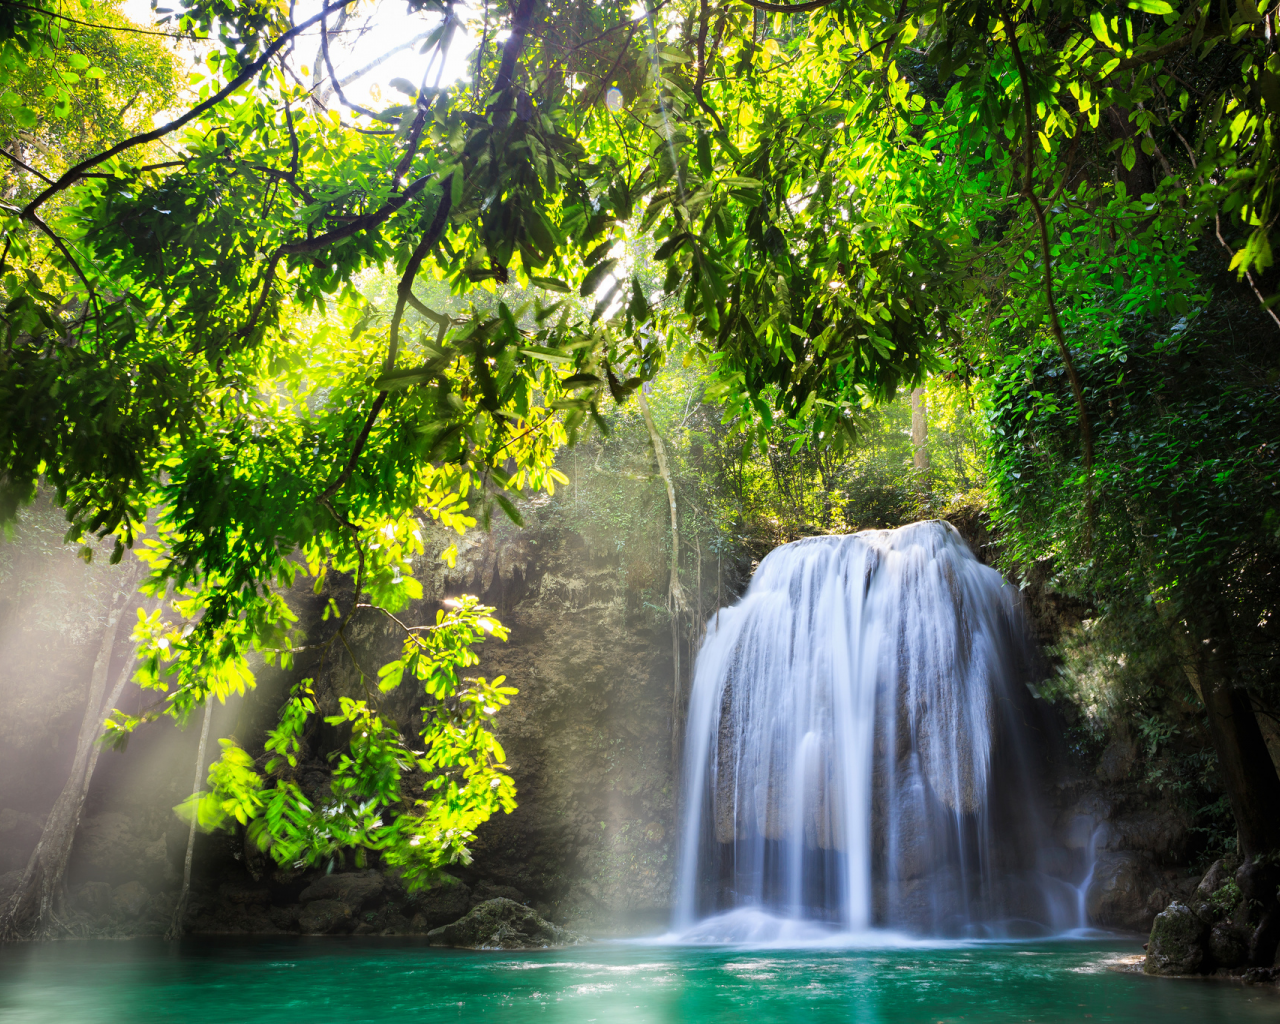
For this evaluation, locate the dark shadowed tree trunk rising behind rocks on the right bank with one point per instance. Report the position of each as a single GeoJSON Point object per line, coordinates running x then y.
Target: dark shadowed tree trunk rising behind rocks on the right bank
{"type": "Point", "coordinates": [1249, 776]}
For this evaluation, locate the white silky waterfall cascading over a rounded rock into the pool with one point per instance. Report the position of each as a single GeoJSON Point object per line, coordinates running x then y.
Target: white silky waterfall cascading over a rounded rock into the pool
{"type": "Point", "coordinates": [854, 749]}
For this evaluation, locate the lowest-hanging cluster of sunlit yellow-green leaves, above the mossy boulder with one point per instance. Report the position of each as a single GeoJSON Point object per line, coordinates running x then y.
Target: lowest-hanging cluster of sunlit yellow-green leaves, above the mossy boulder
{"type": "Point", "coordinates": [369, 806]}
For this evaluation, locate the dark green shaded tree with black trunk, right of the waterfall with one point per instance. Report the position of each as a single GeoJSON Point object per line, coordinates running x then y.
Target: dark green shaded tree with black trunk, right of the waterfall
{"type": "Point", "coordinates": [1185, 527]}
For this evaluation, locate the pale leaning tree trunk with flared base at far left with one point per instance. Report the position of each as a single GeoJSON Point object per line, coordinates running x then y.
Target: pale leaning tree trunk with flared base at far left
{"type": "Point", "coordinates": [30, 912]}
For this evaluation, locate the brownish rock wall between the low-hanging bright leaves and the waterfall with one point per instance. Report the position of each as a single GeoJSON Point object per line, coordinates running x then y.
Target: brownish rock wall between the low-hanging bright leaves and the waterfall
{"type": "Point", "coordinates": [588, 738]}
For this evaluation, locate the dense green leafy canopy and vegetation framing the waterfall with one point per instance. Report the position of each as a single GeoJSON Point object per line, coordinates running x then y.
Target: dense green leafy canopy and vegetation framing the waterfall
{"type": "Point", "coordinates": [273, 336]}
